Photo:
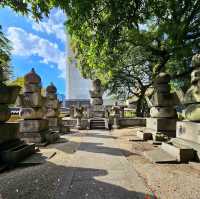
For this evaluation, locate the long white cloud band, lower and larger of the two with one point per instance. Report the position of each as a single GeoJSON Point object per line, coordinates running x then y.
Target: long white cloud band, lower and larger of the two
{"type": "Point", "coordinates": [27, 44]}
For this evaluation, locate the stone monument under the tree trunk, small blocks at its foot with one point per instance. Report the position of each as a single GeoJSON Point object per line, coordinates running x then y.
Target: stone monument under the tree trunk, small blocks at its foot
{"type": "Point", "coordinates": [162, 122]}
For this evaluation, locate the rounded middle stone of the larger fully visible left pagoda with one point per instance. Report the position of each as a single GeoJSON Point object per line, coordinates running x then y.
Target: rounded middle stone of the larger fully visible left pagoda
{"type": "Point", "coordinates": [30, 113]}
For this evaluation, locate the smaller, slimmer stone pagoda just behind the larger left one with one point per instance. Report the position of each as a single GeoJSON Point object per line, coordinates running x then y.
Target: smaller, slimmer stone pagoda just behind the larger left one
{"type": "Point", "coordinates": [52, 108]}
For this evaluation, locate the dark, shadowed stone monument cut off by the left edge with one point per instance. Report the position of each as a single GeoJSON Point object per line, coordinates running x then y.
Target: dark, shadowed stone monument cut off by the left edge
{"type": "Point", "coordinates": [12, 149]}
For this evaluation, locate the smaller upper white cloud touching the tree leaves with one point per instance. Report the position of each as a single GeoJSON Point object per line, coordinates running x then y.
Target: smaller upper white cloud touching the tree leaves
{"type": "Point", "coordinates": [52, 25]}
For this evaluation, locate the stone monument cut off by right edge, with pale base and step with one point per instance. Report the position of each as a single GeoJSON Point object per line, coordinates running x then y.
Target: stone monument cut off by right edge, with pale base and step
{"type": "Point", "coordinates": [186, 146]}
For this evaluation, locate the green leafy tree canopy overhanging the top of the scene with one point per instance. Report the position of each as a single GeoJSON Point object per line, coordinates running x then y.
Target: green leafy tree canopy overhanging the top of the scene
{"type": "Point", "coordinates": [167, 31]}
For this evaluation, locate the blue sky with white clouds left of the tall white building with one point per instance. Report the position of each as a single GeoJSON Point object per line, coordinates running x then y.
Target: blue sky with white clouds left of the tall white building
{"type": "Point", "coordinates": [39, 45]}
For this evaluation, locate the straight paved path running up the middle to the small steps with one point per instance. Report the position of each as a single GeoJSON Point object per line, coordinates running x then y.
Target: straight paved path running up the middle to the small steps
{"type": "Point", "coordinates": [102, 172]}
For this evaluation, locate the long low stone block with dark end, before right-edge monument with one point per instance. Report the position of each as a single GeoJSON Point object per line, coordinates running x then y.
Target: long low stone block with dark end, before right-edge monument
{"type": "Point", "coordinates": [182, 153]}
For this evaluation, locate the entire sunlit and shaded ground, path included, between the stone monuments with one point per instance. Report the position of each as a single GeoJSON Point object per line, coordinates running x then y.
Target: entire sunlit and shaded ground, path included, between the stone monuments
{"type": "Point", "coordinates": [102, 165]}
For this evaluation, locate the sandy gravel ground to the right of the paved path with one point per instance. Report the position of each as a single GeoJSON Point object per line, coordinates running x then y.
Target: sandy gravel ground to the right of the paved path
{"type": "Point", "coordinates": [167, 181]}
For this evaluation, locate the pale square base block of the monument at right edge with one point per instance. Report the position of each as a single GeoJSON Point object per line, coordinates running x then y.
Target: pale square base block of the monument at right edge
{"type": "Point", "coordinates": [188, 131]}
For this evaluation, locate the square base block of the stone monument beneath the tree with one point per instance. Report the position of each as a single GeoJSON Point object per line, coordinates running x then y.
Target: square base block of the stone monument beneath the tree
{"type": "Point", "coordinates": [161, 124]}
